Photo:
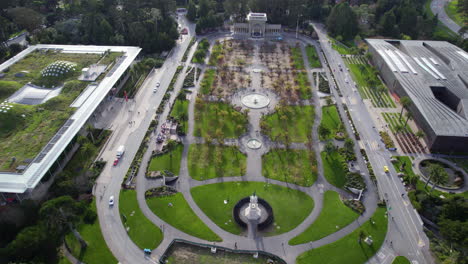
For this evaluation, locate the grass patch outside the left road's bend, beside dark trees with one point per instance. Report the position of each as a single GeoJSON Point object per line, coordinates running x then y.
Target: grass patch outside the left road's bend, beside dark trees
{"type": "Point", "coordinates": [97, 250]}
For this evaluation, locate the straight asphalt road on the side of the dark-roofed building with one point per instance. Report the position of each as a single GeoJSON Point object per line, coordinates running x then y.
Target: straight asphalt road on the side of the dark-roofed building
{"type": "Point", "coordinates": [405, 234]}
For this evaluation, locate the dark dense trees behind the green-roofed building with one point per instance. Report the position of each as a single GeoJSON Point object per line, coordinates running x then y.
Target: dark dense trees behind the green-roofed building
{"type": "Point", "coordinates": [144, 23]}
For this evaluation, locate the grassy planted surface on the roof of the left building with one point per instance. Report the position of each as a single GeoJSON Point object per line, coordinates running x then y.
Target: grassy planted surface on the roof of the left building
{"type": "Point", "coordinates": [26, 129]}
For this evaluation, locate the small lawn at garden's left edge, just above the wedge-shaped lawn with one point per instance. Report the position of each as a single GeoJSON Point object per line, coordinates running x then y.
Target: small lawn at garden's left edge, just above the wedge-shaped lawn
{"type": "Point", "coordinates": [169, 161]}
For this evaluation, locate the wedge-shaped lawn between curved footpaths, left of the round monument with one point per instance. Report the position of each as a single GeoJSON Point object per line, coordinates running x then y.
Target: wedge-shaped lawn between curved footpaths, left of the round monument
{"type": "Point", "coordinates": [181, 216]}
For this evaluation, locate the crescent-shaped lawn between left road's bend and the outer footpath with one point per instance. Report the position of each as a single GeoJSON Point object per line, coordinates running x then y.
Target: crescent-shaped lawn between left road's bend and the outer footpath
{"type": "Point", "coordinates": [140, 229]}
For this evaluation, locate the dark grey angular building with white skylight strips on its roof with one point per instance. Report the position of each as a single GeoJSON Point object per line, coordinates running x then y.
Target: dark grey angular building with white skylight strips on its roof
{"type": "Point", "coordinates": [434, 75]}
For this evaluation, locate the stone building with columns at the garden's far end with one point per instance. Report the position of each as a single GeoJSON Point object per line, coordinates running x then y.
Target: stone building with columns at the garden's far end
{"type": "Point", "coordinates": [256, 27]}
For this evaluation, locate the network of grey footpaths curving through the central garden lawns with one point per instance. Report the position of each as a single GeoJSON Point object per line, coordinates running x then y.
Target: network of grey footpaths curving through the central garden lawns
{"type": "Point", "coordinates": [274, 244]}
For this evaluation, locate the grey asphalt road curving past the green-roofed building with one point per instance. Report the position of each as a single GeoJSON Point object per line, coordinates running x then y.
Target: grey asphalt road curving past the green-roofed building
{"type": "Point", "coordinates": [141, 110]}
